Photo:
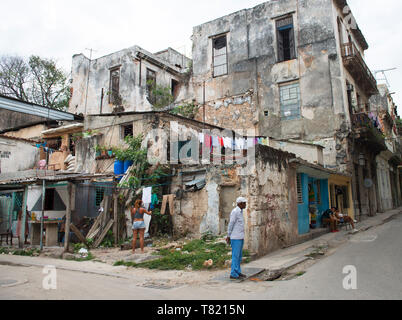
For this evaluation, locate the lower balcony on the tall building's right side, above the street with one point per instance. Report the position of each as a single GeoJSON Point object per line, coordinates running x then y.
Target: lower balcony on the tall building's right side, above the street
{"type": "Point", "coordinates": [365, 132]}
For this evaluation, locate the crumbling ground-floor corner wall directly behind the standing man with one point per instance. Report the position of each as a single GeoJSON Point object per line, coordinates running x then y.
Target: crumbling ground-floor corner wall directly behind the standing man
{"type": "Point", "coordinates": [271, 214]}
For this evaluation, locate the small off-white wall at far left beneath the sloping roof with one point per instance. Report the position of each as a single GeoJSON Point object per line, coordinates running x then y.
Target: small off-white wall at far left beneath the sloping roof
{"type": "Point", "coordinates": [17, 155]}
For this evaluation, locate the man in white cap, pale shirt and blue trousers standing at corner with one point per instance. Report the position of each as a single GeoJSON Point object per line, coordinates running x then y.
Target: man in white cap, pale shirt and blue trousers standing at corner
{"type": "Point", "coordinates": [236, 237]}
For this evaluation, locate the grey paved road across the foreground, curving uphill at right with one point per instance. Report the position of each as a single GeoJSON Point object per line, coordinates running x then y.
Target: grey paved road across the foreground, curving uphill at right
{"type": "Point", "coordinates": [376, 254]}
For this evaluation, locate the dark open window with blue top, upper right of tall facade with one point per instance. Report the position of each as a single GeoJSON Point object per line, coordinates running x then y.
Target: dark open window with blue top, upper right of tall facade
{"type": "Point", "coordinates": [286, 39]}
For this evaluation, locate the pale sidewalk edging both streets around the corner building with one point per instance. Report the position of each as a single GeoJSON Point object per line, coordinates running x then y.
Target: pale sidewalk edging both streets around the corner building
{"type": "Point", "coordinates": [280, 260]}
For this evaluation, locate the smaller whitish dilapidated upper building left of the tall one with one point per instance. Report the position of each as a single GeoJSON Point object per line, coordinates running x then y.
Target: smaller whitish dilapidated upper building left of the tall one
{"type": "Point", "coordinates": [123, 80]}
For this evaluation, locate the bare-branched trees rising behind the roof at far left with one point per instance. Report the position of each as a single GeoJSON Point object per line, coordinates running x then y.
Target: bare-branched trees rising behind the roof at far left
{"type": "Point", "coordinates": [37, 80]}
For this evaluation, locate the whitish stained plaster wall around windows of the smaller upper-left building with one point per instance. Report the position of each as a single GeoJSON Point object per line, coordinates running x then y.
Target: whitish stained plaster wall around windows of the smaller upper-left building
{"type": "Point", "coordinates": [132, 89]}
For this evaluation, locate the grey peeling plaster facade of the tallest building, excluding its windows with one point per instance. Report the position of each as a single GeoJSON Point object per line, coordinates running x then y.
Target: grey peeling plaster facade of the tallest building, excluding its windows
{"type": "Point", "coordinates": [253, 67]}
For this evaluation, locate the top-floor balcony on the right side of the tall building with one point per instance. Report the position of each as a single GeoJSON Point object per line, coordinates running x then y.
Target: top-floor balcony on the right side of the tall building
{"type": "Point", "coordinates": [354, 63]}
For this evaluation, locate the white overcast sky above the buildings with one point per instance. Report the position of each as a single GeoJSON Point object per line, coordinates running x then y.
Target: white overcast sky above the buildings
{"type": "Point", "coordinates": [60, 28]}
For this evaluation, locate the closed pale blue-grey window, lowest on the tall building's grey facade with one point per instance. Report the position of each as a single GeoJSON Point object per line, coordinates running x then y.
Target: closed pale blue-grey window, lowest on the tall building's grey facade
{"type": "Point", "coordinates": [290, 101]}
